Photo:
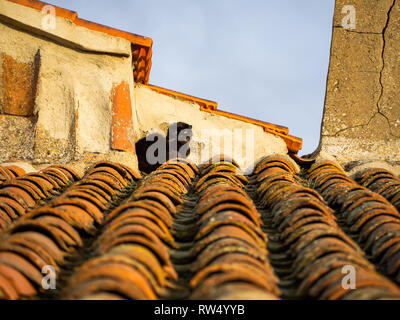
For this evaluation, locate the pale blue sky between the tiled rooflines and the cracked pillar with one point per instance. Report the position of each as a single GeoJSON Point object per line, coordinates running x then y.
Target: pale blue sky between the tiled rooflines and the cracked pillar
{"type": "Point", "coordinates": [260, 58]}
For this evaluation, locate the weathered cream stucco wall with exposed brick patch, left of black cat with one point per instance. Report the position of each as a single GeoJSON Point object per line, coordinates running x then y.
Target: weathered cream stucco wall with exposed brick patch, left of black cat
{"type": "Point", "coordinates": [74, 85]}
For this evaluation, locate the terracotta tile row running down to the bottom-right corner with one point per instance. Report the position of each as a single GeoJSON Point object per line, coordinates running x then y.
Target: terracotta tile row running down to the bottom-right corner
{"type": "Point", "coordinates": [305, 232]}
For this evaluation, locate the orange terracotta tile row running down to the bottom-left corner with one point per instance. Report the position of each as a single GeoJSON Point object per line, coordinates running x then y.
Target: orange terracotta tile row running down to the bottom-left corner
{"type": "Point", "coordinates": [55, 229]}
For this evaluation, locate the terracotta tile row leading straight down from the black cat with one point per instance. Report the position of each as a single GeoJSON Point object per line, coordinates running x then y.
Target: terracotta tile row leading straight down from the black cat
{"type": "Point", "coordinates": [132, 236]}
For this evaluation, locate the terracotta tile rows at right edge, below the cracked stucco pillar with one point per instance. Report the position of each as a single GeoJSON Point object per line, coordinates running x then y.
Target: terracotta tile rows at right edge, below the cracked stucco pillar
{"type": "Point", "coordinates": [366, 215]}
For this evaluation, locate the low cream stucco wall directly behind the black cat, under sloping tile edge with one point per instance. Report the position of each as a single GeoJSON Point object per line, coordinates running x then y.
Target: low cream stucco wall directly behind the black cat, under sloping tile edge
{"type": "Point", "coordinates": [155, 112]}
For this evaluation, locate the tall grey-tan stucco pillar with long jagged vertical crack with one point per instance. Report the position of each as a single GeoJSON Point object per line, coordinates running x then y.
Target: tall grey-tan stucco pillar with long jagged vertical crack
{"type": "Point", "coordinates": [362, 110]}
